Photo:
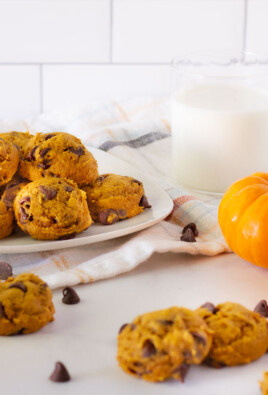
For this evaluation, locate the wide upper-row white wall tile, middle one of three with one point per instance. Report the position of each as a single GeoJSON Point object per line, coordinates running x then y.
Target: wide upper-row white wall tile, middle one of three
{"type": "Point", "coordinates": [158, 30]}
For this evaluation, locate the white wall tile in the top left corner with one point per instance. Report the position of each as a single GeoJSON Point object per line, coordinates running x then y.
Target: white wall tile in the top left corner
{"type": "Point", "coordinates": [54, 31]}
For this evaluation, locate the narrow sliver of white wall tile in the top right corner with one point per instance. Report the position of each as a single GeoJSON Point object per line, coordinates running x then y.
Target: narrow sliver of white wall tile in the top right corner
{"type": "Point", "coordinates": [257, 27]}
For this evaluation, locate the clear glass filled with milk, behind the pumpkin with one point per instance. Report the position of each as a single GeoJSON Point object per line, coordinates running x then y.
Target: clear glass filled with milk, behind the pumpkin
{"type": "Point", "coordinates": [219, 118]}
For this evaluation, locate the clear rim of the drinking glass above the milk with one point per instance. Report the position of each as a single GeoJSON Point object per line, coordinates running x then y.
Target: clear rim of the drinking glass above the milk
{"type": "Point", "coordinates": [179, 64]}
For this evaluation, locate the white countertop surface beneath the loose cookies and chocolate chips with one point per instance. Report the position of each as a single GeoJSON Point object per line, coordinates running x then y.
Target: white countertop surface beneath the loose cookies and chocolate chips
{"type": "Point", "coordinates": [83, 336]}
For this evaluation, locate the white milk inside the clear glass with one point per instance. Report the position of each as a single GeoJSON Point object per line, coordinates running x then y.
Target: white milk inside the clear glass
{"type": "Point", "coordinates": [220, 134]}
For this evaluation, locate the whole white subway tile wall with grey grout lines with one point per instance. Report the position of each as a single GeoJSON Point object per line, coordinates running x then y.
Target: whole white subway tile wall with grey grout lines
{"type": "Point", "coordinates": [56, 53]}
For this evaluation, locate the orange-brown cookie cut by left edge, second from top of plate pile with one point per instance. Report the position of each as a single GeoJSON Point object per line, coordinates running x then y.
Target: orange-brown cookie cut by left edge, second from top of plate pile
{"type": "Point", "coordinates": [9, 160]}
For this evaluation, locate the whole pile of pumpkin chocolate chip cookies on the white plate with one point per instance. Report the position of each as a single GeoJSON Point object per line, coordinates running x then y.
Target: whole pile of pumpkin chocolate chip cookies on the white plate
{"type": "Point", "coordinates": [51, 188]}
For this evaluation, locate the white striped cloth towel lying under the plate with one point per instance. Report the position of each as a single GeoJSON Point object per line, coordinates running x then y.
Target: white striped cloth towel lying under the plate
{"type": "Point", "coordinates": [137, 131]}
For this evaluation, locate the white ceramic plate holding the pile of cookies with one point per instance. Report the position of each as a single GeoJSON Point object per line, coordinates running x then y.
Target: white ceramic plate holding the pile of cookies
{"type": "Point", "coordinates": [159, 199]}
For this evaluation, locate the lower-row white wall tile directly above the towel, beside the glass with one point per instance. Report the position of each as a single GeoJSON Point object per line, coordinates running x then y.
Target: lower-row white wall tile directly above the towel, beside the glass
{"type": "Point", "coordinates": [71, 85]}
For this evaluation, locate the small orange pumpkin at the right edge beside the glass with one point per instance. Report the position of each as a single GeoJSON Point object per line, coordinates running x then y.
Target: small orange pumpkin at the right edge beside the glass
{"type": "Point", "coordinates": [243, 218]}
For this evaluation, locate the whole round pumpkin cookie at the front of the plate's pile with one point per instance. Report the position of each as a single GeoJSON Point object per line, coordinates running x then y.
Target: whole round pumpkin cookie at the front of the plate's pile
{"type": "Point", "coordinates": [52, 208]}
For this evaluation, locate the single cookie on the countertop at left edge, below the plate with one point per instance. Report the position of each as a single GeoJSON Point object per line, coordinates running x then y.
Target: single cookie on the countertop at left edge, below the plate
{"type": "Point", "coordinates": [25, 305]}
